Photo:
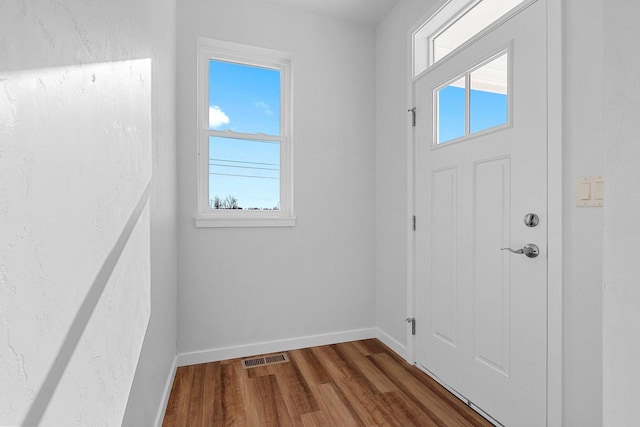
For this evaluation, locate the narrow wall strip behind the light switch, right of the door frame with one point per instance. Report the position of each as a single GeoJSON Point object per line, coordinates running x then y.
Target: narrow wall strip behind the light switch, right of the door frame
{"type": "Point", "coordinates": [583, 152]}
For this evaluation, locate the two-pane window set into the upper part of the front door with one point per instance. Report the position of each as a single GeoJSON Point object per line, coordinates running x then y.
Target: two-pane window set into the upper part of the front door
{"type": "Point", "coordinates": [474, 102]}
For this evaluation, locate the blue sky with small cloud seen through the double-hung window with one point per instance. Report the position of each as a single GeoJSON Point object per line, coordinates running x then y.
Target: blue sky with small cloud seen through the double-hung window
{"type": "Point", "coordinates": [244, 99]}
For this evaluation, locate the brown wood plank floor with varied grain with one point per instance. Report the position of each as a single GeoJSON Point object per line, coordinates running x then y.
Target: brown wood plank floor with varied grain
{"type": "Point", "coordinates": [360, 383]}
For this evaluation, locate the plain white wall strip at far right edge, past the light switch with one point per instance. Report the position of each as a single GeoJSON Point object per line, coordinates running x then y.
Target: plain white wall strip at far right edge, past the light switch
{"type": "Point", "coordinates": [622, 230]}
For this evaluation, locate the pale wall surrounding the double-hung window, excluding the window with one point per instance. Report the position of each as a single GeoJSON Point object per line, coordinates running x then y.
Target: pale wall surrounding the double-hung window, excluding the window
{"type": "Point", "coordinates": [241, 286]}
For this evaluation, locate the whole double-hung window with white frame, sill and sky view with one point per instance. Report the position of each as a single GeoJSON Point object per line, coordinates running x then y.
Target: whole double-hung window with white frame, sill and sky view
{"type": "Point", "coordinates": [244, 144]}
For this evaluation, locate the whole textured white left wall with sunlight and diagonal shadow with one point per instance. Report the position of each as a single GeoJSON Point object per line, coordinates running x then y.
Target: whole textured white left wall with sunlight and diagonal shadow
{"type": "Point", "coordinates": [82, 283]}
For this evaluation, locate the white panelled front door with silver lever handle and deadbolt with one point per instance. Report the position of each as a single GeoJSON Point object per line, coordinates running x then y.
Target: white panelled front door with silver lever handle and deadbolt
{"type": "Point", "coordinates": [481, 311]}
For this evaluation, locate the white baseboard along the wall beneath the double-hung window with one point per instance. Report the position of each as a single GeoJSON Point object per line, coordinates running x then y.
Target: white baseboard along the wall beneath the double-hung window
{"type": "Point", "coordinates": [225, 353]}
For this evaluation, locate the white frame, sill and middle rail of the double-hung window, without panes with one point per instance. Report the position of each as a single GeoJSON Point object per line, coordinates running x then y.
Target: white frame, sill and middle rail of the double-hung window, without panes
{"type": "Point", "coordinates": [259, 57]}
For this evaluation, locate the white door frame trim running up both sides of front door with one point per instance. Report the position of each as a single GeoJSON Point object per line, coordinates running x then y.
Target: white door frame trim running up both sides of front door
{"type": "Point", "coordinates": [554, 205]}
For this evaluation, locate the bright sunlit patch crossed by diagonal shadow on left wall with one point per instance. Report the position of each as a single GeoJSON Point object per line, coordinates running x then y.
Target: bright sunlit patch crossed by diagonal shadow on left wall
{"type": "Point", "coordinates": [75, 171]}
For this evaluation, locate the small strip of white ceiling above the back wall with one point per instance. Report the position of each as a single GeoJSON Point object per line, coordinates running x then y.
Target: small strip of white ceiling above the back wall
{"type": "Point", "coordinates": [362, 11]}
